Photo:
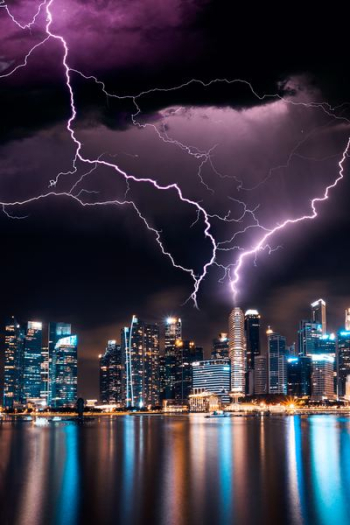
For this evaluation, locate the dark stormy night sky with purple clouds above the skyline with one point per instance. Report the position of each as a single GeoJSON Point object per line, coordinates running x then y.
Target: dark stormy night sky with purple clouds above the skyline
{"type": "Point", "coordinates": [96, 265]}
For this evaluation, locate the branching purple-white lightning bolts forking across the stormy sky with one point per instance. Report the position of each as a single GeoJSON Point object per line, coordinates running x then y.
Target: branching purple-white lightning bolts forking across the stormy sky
{"type": "Point", "coordinates": [232, 271]}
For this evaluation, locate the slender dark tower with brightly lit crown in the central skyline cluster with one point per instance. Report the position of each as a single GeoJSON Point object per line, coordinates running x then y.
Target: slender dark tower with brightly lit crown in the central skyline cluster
{"type": "Point", "coordinates": [173, 333]}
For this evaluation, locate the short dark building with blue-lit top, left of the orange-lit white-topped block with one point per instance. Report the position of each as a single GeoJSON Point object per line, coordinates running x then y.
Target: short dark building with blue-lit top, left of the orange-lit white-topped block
{"type": "Point", "coordinates": [299, 376]}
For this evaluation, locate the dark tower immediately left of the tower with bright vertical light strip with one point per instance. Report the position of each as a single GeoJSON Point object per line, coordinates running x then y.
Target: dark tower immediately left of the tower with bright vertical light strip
{"type": "Point", "coordinates": [111, 374]}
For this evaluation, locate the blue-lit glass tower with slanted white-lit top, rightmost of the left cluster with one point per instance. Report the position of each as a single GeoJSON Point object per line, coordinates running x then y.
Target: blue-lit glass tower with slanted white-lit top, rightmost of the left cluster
{"type": "Point", "coordinates": [64, 371]}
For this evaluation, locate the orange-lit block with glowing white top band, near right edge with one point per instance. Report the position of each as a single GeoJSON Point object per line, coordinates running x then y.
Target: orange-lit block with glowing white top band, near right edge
{"type": "Point", "coordinates": [322, 377]}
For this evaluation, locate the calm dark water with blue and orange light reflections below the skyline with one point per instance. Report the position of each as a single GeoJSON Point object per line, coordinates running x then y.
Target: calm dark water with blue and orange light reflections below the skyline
{"type": "Point", "coordinates": [177, 470]}
